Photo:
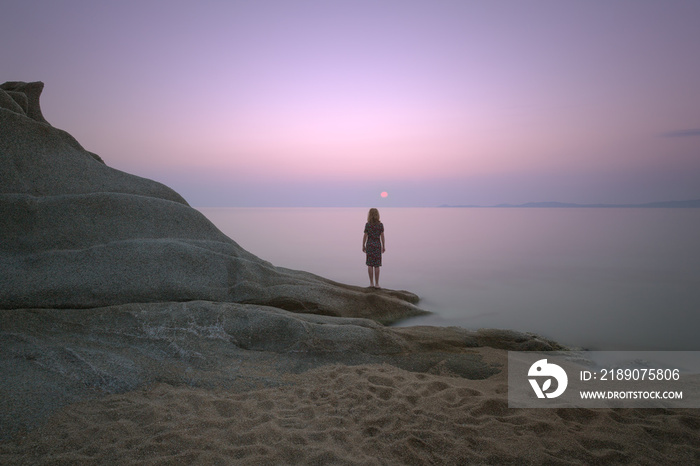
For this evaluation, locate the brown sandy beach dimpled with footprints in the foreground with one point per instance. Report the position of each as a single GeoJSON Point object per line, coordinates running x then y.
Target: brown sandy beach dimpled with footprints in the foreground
{"type": "Point", "coordinates": [340, 414]}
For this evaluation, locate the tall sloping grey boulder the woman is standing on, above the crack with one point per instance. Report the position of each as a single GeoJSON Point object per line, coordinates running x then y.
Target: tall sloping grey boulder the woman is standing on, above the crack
{"type": "Point", "coordinates": [75, 233]}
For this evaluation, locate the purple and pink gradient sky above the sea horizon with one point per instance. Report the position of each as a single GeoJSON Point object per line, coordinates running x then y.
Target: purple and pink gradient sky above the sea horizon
{"type": "Point", "coordinates": [329, 103]}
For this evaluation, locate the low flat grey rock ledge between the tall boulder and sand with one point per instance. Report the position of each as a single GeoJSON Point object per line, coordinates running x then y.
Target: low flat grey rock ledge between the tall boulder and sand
{"type": "Point", "coordinates": [50, 358]}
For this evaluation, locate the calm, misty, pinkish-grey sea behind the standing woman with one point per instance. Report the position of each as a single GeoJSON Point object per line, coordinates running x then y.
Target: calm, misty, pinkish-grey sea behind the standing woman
{"type": "Point", "coordinates": [607, 279]}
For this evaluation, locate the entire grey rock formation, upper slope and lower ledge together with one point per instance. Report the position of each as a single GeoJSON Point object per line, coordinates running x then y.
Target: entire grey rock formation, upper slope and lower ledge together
{"type": "Point", "coordinates": [109, 282]}
